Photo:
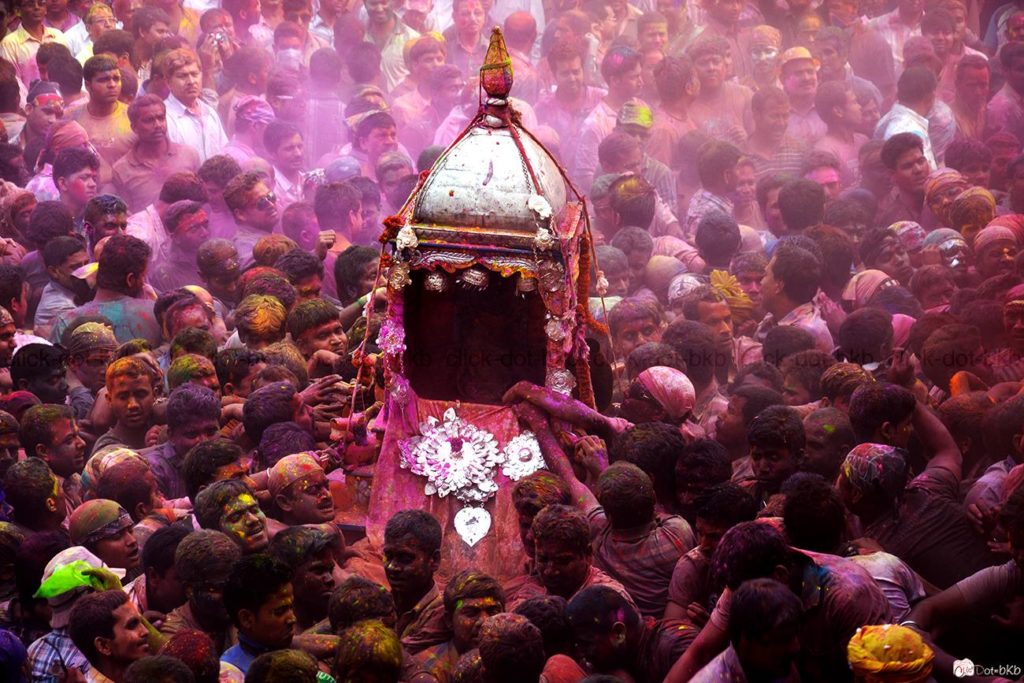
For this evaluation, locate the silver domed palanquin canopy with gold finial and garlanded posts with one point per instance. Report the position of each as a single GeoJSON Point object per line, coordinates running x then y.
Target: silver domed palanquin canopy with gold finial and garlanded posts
{"type": "Point", "coordinates": [496, 204]}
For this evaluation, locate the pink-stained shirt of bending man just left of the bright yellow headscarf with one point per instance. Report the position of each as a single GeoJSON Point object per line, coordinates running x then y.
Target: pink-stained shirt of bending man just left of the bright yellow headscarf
{"type": "Point", "coordinates": [839, 597]}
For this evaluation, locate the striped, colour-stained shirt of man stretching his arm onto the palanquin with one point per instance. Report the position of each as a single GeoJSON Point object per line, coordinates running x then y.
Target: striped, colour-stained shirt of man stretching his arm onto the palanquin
{"type": "Point", "coordinates": [644, 560]}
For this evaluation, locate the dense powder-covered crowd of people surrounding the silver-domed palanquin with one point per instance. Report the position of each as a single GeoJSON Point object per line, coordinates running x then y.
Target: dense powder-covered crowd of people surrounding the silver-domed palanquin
{"type": "Point", "coordinates": [805, 455]}
